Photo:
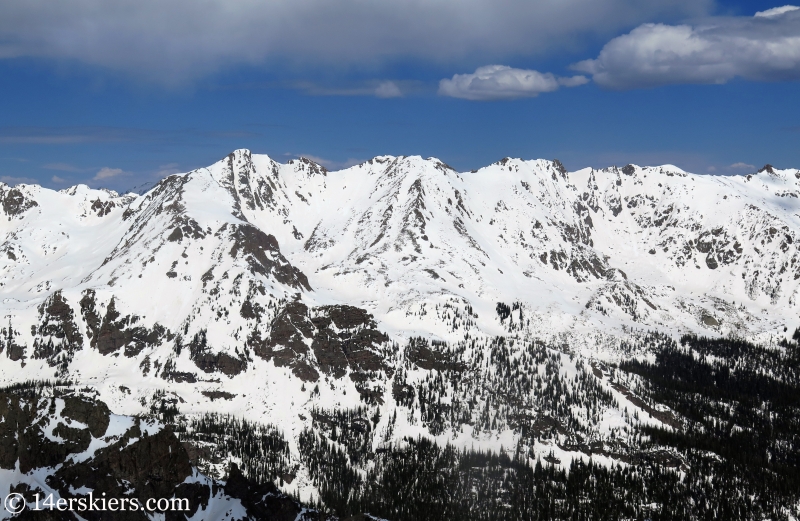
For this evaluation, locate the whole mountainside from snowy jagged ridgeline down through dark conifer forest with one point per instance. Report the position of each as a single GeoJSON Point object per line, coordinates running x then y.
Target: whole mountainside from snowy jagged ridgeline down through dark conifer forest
{"type": "Point", "coordinates": [407, 341]}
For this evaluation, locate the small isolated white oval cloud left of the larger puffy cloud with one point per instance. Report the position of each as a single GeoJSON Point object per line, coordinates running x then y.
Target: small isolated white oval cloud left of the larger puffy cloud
{"type": "Point", "coordinates": [501, 82]}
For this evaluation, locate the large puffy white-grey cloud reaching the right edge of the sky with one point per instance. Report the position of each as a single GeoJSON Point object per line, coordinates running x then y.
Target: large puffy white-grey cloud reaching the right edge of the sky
{"type": "Point", "coordinates": [763, 47]}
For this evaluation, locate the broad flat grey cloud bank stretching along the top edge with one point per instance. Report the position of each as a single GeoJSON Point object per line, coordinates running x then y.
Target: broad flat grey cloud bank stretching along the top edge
{"type": "Point", "coordinates": [184, 39]}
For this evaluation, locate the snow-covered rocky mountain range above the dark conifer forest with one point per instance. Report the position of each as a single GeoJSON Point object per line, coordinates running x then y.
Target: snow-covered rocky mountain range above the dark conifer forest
{"type": "Point", "coordinates": [276, 290]}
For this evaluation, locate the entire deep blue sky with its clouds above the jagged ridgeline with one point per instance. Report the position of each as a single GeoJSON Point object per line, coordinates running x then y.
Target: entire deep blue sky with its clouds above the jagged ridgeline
{"type": "Point", "coordinates": [120, 95]}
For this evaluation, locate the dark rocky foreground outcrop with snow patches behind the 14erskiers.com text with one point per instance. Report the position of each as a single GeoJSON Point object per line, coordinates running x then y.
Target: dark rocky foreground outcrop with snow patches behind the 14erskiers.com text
{"type": "Point", "coordinates": [49, 430]}
